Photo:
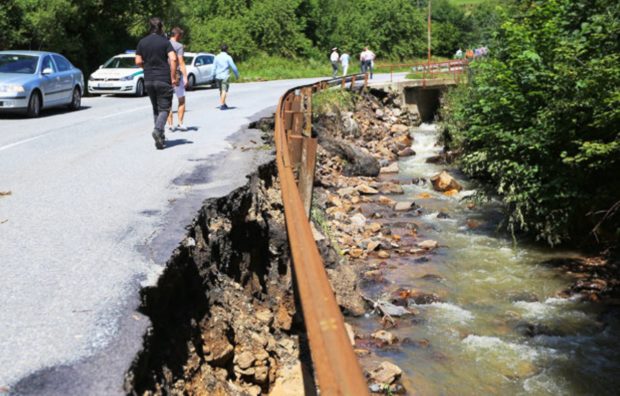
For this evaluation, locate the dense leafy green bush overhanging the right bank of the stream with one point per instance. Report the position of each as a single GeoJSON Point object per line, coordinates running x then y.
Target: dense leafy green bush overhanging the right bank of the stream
{"type": "Point", "coordinates": [540, 120]}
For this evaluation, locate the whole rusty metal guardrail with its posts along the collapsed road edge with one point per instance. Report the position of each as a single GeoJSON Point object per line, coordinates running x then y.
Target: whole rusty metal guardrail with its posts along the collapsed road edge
{"type": "Point", "coordinates": [335, 363]}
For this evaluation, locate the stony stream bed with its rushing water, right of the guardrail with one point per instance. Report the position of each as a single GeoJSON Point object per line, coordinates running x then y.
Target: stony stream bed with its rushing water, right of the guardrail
{"type": "Point", "coordinates": [455, 305]}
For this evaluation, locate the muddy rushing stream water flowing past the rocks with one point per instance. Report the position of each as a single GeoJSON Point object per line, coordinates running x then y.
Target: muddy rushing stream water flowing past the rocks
{"type": "Point", "coordinates": [500, 328]}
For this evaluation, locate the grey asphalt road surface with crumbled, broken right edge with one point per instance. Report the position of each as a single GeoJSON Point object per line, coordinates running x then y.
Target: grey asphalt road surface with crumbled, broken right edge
{"type": "Point", "coordinates": [93, 214]}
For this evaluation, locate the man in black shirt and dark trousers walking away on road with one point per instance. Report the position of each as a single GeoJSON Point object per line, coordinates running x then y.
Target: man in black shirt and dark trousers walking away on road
{"type": "Point", "coordinates": [159, 61]}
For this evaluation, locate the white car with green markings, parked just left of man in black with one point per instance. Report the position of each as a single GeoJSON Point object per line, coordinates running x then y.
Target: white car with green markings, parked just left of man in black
{"type": "Point", "coordinates": [119, 75]}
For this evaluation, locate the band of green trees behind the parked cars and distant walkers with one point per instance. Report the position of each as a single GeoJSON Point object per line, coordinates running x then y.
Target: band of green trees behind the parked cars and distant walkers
{"type": "Point", "coordinates": [90, 31]}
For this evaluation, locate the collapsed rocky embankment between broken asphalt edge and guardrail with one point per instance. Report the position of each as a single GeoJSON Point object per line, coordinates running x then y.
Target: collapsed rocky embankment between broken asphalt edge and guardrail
{"type": "Point", "coordinates": [223, 312]}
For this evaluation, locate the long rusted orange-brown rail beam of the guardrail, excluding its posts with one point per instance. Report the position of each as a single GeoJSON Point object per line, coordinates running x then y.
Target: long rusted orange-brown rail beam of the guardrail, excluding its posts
{"type": "Point", "coordinates": [335, 364]}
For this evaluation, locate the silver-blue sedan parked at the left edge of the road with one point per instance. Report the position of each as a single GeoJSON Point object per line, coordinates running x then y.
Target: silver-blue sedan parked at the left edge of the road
{"type": "Point", "coordinates": [35, 80]}
